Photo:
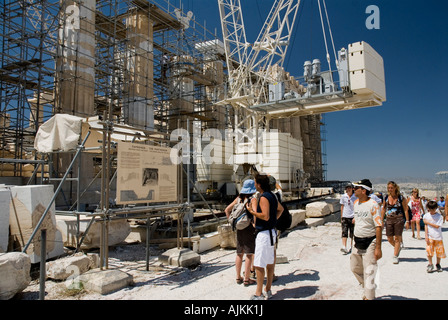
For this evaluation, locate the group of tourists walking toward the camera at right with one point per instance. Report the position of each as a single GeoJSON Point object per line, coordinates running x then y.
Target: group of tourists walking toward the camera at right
{"type": "Point", "coordinates": [364, 216]}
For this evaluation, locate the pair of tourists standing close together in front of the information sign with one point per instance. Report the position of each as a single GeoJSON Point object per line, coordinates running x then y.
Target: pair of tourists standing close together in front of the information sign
{"type": "Point", "coordinates": [258, 240]}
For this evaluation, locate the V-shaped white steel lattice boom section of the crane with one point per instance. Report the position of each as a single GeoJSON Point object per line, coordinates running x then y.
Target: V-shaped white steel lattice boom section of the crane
{"type": "Point", "coordinates": [255, 62]}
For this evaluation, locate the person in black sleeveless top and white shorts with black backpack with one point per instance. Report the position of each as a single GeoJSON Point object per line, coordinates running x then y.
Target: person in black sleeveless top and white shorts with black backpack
{"type": "Point", "coordinates": [266, 214]}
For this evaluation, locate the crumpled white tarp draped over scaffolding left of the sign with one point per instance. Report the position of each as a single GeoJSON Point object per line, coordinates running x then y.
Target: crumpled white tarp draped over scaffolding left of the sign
{"type": "Point", "coordinates": [60, 133]}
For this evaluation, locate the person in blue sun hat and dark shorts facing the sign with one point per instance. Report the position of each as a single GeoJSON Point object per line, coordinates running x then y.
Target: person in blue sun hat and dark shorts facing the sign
{"type": "Point", "coordinates": [245, 238]}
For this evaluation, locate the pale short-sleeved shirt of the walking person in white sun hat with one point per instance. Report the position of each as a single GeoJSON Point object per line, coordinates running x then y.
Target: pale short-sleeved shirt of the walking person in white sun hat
{"type": "Point", "coordinates": [367, 218]}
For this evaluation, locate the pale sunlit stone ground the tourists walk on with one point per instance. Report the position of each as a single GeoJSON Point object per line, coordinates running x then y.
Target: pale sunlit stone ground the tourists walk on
{"type": "Point", "coordinates": [316, 270]}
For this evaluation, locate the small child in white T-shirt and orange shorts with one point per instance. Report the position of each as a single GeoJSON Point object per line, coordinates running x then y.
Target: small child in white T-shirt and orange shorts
{"type": "Point", "coordinates": [433, 235]}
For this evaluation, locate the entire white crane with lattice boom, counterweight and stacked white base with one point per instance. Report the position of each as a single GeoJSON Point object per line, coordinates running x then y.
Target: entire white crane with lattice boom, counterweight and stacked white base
{"type": "Point", "coordinates": [260, 90]}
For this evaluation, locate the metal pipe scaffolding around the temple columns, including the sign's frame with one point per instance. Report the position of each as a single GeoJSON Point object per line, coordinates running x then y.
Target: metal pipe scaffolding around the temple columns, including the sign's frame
{"type": "Point", "coordinates": [143, 64]}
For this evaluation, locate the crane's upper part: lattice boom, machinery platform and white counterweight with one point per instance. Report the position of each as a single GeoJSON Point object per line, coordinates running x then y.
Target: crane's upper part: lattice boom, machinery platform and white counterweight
{"type": "Point", "coordinates": [254, 83]}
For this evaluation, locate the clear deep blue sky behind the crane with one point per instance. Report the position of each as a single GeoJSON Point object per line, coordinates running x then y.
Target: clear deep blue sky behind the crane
{"type": "Point", "coordinates": [407, 136]}
